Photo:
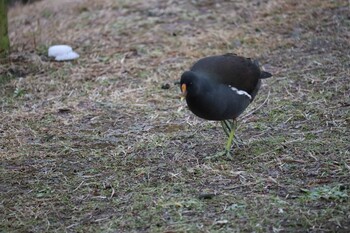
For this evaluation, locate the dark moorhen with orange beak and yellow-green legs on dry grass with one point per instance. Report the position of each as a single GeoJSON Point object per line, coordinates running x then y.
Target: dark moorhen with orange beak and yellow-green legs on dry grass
{"type": "Point", "coordinates": [220, 88]}
